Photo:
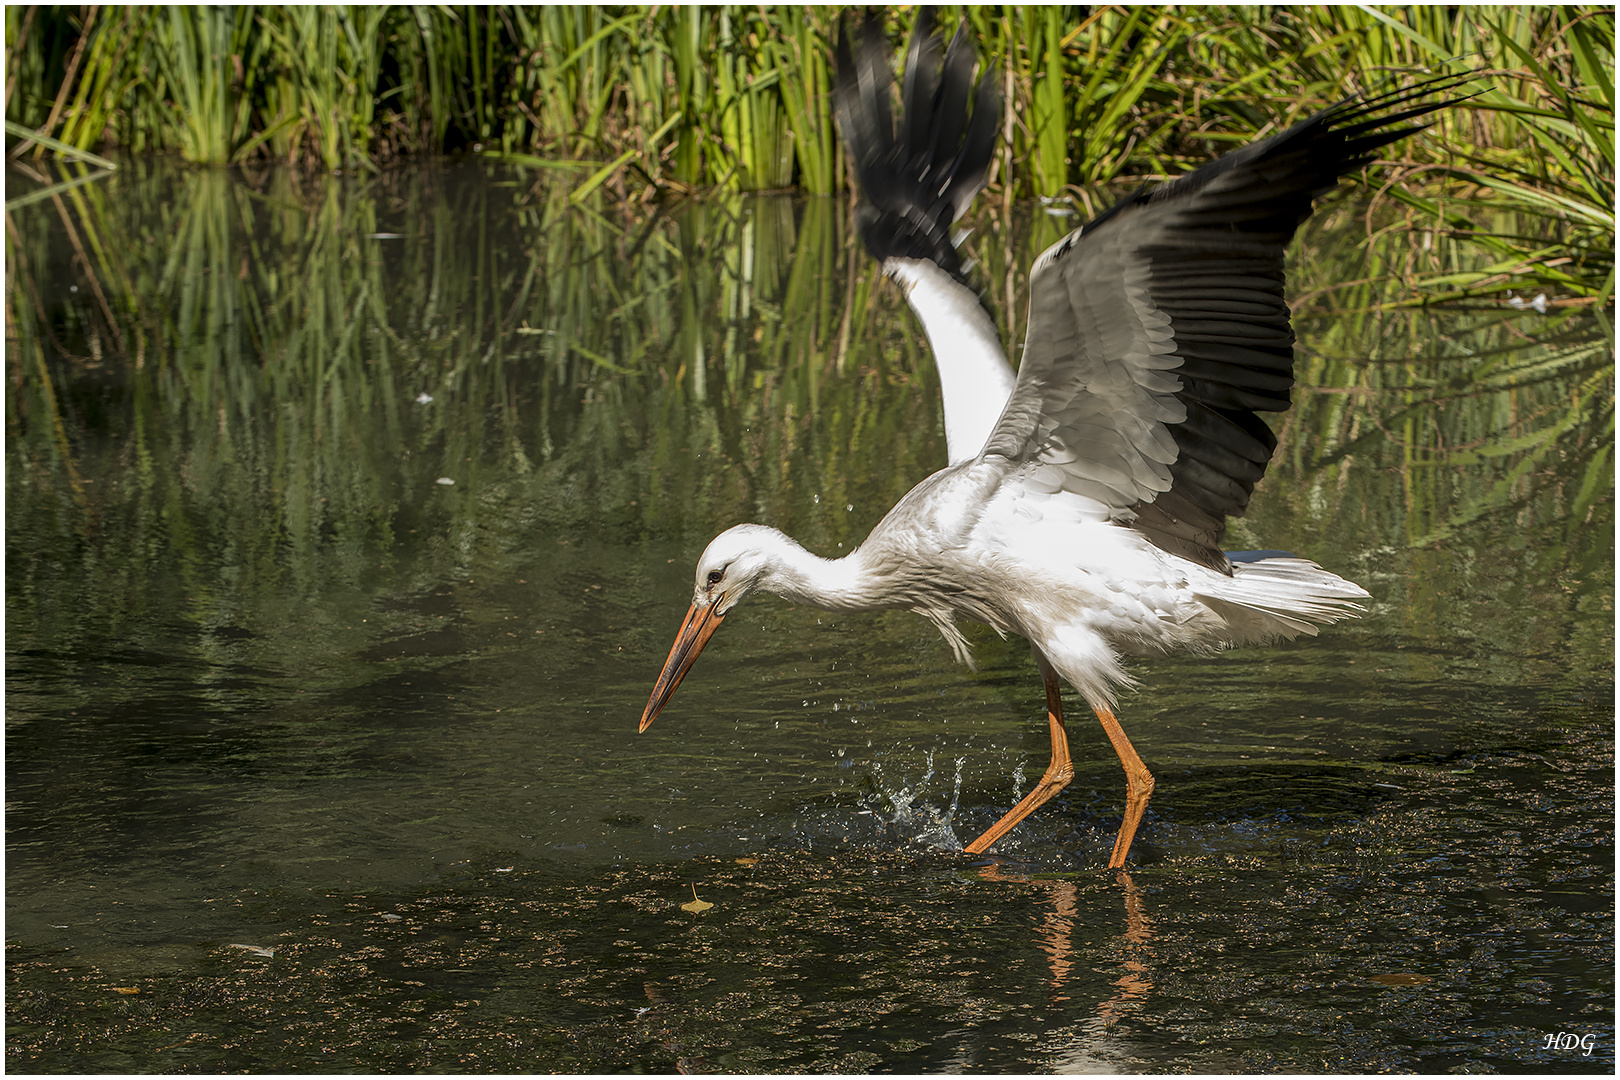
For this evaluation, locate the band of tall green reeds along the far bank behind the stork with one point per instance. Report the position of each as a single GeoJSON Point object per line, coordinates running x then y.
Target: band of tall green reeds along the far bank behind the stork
{"type": "Point", "coordinates": [741, 95]}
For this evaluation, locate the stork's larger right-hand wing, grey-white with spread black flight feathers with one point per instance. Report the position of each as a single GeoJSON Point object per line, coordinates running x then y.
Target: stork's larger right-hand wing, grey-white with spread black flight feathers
{"type": "Point", "coordinates": [1159, 331]}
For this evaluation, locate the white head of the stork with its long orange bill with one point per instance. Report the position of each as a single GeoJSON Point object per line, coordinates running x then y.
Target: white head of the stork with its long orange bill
{"type": "Point", "coordinates": [735, 564]}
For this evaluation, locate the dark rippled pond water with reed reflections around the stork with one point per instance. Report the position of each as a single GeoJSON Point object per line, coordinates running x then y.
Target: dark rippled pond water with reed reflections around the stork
{"type": "Point", "coordinates": [349, 522]}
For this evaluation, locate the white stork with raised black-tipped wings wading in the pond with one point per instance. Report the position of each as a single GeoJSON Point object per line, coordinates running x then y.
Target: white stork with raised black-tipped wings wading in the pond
{"type": "Point", "coordinates": [1086, 498]}
